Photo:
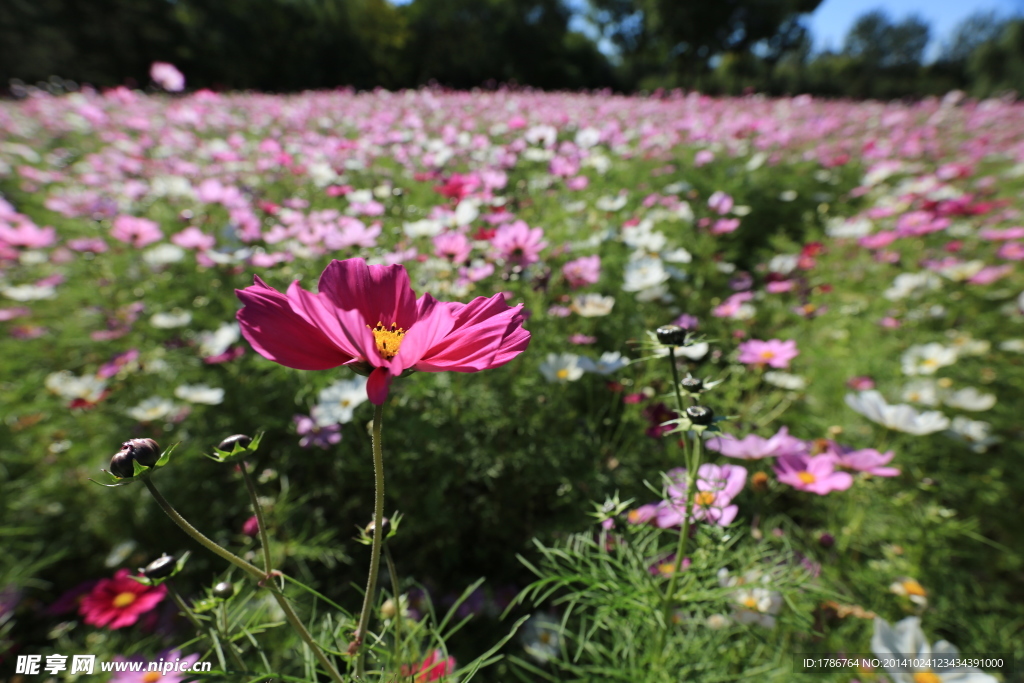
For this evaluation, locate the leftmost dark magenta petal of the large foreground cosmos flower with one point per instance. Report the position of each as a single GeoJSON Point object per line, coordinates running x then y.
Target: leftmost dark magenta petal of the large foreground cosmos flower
{"type": "Point", "coordinates": [279, 334]}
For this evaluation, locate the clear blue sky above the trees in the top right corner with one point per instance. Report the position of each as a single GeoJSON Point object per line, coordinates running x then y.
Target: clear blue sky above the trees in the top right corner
{"type": "Point", "coordinates": [833, 19]}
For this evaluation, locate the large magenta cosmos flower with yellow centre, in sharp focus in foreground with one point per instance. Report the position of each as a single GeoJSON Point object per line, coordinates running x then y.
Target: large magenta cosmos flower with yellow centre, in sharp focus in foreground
{"type": "Point", "coordinates": [368, 318]}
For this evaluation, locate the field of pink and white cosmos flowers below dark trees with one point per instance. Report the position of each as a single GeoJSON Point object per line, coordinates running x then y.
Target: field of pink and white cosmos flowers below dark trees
{"type": "Point", "coordinates": [704, 389]}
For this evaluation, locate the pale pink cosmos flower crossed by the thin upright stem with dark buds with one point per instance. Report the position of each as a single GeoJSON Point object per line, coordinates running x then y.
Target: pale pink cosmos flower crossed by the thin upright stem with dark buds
{"type": "Point", "coordinates": [716, 487]}
